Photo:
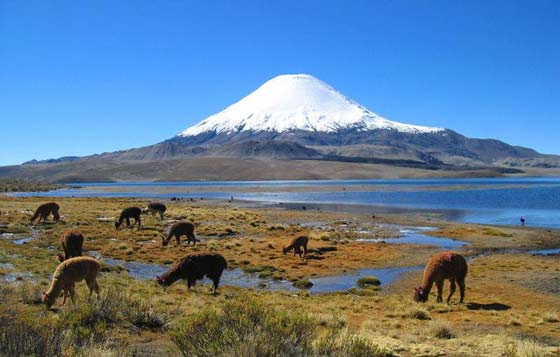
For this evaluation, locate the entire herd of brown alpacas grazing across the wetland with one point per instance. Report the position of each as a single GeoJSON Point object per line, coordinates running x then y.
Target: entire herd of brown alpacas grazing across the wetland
{"type": "Point", "coordinates": [74, 267]}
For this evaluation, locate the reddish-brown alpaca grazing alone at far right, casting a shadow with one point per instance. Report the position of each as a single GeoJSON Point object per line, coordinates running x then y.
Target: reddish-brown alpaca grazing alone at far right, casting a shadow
{"type": "Point", "coordinates": [441, 266]}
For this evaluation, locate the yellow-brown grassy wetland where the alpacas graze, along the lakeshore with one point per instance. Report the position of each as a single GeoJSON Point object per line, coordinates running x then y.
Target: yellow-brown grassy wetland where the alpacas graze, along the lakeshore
{"type": "Point", "coordinates": [512, 304]}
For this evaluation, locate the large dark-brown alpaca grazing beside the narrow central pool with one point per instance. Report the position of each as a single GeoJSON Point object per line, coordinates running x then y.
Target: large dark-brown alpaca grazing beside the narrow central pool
{"type": "Point", "coordinates": [194, 267]}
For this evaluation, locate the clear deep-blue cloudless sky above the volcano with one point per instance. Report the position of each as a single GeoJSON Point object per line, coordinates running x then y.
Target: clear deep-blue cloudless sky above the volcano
{"type": "Point", "coordinates": [82, 77]}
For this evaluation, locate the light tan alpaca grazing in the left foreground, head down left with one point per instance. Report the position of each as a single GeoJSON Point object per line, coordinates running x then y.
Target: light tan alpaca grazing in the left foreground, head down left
{"type": "Point", "coordinates": [67, 274]}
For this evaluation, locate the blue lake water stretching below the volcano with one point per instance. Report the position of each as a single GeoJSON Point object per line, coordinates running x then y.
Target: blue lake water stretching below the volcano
{"type": "Point", "coordinates": [489, 200]}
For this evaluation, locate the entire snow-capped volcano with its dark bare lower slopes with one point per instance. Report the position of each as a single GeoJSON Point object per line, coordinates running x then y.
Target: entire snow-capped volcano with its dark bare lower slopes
{"type": "Point", "coordinates": [300, 118]}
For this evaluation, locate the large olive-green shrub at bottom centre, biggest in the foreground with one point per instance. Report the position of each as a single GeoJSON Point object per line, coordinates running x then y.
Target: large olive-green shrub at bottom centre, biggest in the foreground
{"type": "Point", "coordinates": [244, 328]}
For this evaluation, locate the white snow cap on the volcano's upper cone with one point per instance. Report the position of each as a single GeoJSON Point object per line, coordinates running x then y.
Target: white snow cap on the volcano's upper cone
{"type": "Point", "coordinates": [297, 102]}
